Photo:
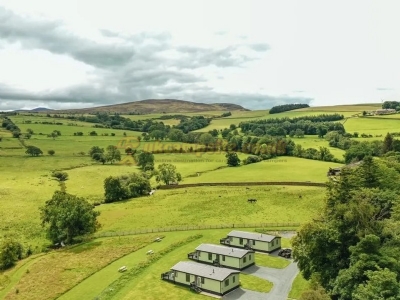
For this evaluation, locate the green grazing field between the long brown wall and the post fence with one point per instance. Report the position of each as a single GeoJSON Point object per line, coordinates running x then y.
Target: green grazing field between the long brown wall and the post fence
{"type": "Point", "coordinates": [202, 206]}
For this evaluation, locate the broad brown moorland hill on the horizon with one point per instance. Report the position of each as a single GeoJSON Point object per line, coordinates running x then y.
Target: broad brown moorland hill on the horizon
{"type": "Point", "coordinates": [152, 106]}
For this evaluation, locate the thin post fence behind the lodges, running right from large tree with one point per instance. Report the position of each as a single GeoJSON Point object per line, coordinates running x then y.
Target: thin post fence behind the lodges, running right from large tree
{"type": "Point", "coordinates": [195, 227]}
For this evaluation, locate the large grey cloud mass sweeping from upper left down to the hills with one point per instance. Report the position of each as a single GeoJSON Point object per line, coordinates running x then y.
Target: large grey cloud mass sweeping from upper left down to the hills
{"type": "Point", "coordinates": [127, 67]}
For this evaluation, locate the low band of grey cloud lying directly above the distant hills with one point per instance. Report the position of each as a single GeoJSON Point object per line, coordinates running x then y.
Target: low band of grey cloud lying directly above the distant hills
{"type": "Point", "coordinates": [191, 92]}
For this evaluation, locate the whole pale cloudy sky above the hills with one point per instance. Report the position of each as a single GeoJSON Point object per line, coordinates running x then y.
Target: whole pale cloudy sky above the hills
{"type": "Point", "coordinates": [73, 54]}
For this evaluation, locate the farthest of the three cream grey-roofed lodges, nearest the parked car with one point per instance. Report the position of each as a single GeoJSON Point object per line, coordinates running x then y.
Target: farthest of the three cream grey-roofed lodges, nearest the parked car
{"type": "Point", "coordinates": [252, 241]}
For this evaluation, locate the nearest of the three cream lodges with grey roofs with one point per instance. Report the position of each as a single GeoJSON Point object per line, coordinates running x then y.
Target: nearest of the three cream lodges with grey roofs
{"type": "Point", "coordinates": [202, 277]}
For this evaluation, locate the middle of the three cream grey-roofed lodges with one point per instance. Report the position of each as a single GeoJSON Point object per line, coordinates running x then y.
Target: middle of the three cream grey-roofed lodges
{"type": "Point", "coordinates": [229, 257]}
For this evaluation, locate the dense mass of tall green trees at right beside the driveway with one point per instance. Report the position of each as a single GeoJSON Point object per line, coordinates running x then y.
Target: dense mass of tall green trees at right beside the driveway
{"type": "Point", "coordinates": [351, 247]}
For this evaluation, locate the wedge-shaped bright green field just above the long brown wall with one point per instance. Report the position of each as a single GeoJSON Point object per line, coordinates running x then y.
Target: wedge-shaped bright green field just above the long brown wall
{"type": "Point", "coordinates": [283, 168]}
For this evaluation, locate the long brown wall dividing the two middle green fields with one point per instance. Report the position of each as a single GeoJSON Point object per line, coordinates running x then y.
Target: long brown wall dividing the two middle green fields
{"type": "Point", "coordinates": [292, 183]}
